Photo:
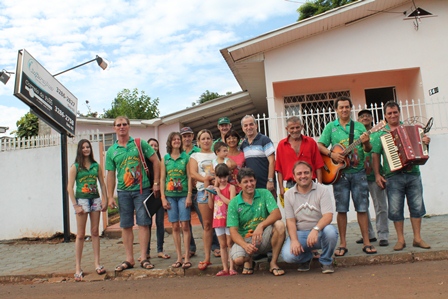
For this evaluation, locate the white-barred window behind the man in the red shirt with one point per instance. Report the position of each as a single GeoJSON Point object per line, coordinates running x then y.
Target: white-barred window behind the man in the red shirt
{"type": "Point", "coordinates": [313, 109]}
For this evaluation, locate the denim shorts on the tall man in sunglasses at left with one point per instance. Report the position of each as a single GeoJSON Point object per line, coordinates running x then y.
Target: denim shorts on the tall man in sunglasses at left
{"type": "Point", "coordinates": [130, 201]}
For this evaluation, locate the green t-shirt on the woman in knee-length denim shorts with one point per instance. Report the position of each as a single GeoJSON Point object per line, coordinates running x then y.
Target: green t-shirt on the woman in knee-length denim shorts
{"type": "Point", "coordinates": [176, 180]}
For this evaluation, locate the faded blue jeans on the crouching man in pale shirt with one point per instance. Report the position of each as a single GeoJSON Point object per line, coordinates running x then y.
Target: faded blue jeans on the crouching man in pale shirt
{"type": "Point", "coordinates": [327, 240]}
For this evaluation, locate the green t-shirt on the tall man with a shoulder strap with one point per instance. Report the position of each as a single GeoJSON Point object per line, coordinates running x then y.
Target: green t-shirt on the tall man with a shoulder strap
{"type": "Point", "coordinates": [126, 161]}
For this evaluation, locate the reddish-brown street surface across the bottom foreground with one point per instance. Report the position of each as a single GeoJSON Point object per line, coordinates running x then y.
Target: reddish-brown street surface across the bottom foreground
{"type": "Point", "coordinates": [411, 280]}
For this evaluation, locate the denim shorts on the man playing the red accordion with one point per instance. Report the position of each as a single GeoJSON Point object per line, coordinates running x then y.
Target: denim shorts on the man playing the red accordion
{"type": "Point", "coordinates": [404, 184]}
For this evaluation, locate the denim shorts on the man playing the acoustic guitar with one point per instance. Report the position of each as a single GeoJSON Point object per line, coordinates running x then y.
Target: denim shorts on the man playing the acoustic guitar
{"type": "Point", "coordinates": [357, 184]}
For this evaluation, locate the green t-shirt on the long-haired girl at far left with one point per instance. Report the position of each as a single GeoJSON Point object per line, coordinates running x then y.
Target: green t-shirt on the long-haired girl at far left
{"type": "Point", "coordinates": [87, 181]}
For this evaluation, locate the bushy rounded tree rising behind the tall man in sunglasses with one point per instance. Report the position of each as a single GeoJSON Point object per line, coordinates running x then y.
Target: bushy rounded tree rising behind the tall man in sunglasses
{"type": "Point", "coordinates": [133, 105]}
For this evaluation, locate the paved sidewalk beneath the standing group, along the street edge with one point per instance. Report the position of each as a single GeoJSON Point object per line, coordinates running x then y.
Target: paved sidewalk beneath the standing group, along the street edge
{"type": "Point", "coordinates": [56, 262]}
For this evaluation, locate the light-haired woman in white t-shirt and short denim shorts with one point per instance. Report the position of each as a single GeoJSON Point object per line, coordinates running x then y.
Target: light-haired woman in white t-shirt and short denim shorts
{"type": "Point", "coordinates": [201, 171]}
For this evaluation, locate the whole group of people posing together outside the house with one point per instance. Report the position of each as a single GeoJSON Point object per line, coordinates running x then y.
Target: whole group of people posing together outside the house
{"type": "Point", "coordinates": [230, 182]}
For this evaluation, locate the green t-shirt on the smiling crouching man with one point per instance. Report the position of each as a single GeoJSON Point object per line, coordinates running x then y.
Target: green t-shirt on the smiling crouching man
{"type": "Point", "coordinates": [245, 216]}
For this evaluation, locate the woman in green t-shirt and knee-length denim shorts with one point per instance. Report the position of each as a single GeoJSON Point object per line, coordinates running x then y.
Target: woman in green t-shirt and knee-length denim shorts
{"type": "Point", "coordinates": [175, 190]}
